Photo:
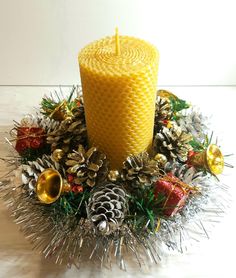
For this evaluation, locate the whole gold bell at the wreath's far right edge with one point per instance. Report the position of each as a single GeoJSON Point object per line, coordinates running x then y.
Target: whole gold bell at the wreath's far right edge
{"type": "Point", "coordinates": [211, 159]}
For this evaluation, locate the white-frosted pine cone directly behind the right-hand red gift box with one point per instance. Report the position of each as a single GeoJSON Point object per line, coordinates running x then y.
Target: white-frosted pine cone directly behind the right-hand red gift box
{"type": "Point", "coordinates": [185, 173]}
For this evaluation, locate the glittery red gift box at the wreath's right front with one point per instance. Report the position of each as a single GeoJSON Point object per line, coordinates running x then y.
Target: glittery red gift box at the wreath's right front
{"type": "Point", "coordinates": [170, 187]}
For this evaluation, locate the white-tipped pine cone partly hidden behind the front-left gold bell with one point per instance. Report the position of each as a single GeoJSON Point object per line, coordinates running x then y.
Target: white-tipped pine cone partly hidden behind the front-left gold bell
{"type": "Point", "coordinates": [32, 170]}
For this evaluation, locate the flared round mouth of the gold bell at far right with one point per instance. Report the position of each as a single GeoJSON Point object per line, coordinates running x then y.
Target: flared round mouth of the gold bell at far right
{"type": "Point", "coordinates": [214, 159]}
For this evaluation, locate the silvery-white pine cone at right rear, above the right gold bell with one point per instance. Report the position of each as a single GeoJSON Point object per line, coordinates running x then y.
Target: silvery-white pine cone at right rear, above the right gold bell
{"type": "Point", "coordinates": [194, 123]}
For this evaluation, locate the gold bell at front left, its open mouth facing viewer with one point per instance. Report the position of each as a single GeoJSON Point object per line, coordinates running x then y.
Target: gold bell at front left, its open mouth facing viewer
{"type": "Point", "coordinates": [50, 185]}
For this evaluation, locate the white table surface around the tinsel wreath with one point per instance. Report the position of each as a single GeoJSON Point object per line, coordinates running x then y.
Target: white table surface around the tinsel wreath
{"type": "Point", "coordinates": [209, 258]}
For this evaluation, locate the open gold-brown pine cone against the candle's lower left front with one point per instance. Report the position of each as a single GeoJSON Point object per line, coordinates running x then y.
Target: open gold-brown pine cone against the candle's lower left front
{"type": "Point", "coordinates": [90, 167]}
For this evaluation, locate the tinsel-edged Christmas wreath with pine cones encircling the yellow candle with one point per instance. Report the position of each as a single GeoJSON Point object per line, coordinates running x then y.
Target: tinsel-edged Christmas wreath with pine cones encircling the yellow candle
{"type": "Point", "coordinates": [69, 200]}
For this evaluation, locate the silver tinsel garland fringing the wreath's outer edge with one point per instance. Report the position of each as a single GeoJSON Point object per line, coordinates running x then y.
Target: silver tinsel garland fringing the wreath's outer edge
{"type": "Point", "coordinates": [71, 241]}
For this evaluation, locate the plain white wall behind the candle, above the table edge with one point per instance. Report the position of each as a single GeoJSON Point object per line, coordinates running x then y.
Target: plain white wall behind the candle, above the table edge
{"type": "Point", "coordinates": [40, 40]}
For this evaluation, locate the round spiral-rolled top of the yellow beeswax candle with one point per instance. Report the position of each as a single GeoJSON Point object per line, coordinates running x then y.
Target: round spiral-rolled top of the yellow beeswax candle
{"type": "Point", "coordinates": [135, 55]}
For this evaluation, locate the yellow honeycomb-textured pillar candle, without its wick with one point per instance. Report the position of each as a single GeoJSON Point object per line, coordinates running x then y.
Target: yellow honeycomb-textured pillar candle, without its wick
{"type": "Point", "coordinates": [119, 96]}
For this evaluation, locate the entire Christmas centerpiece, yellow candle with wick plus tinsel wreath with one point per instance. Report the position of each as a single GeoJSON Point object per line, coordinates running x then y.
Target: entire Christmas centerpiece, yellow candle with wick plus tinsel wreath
{"type": "Point", "coordinates": [116, 168]}
